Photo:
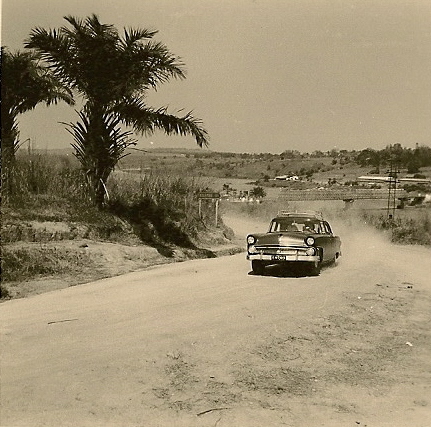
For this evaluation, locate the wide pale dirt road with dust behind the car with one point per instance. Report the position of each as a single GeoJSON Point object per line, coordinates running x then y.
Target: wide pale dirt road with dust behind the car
{"type": "Point", "coordinates": [205, 343]}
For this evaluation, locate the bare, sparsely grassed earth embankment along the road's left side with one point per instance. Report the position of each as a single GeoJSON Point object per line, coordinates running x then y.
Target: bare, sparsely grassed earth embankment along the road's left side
{"type": "Point", "coordinates": [42, 256]}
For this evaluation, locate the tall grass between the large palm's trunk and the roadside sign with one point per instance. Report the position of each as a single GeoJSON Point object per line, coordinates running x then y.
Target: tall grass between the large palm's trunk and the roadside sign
{"type": "Point", "coordinates": [160, 207]}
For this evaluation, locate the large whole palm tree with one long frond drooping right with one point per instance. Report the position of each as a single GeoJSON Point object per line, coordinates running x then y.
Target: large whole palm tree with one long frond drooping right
{"type": "Point", "coordinates": [112, 74]}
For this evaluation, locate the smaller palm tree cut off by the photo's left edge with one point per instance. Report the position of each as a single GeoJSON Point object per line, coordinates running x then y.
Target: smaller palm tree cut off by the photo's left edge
{"type": "Point", "coordinates": [25, 83]}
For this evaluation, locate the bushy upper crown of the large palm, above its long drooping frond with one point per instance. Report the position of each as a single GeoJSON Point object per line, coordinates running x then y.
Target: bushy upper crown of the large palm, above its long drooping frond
{"type": "Point", "coordinates": [93, 59]}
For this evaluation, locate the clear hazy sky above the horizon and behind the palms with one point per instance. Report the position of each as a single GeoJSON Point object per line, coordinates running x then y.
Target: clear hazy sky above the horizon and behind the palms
{"type": "Point", "coordinates": [266, 75]}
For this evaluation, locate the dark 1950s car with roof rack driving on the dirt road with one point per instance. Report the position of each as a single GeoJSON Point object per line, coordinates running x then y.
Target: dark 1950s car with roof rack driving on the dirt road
{"type": "Point", "coordinates": [294, 239]}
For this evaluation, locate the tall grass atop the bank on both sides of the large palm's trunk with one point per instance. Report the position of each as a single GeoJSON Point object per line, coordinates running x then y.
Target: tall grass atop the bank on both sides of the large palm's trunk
{"type": "Point", "coordinates": [46, 188]}
